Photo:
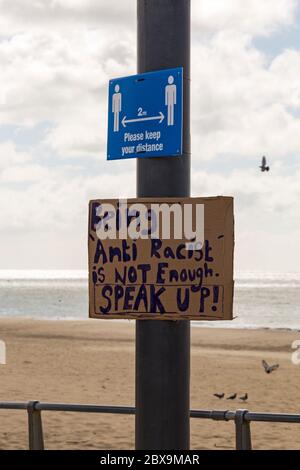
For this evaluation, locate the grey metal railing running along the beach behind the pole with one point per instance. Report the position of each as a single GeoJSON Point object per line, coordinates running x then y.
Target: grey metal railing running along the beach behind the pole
{"type": "Point", "coordinates": [241, 418]}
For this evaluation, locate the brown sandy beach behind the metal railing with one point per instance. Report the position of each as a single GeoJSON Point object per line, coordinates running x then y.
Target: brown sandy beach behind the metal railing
{"type": "Point", "coordinates": [93, 362]}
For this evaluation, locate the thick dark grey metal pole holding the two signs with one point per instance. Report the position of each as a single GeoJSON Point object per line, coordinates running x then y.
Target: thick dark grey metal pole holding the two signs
{"type": "Point", "coordinates": [163, 347]}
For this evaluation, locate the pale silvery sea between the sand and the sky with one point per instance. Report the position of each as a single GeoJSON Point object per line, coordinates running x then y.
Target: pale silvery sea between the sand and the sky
{"type": "Point", "coordinates": [261, 300]}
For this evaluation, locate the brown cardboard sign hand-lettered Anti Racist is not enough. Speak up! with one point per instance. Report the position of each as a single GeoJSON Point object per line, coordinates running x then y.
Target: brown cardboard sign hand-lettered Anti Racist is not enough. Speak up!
{"type": "Point", "coordinates": [160, 273]}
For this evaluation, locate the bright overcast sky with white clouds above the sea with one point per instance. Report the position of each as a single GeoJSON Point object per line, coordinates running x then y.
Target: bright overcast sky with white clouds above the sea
{"type": "Point", "coordinates": [56, 57]}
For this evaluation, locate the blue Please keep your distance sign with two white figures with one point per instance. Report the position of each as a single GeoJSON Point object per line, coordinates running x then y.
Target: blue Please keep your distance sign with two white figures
{"type": "Point", "coordinates": [145, 115]}
